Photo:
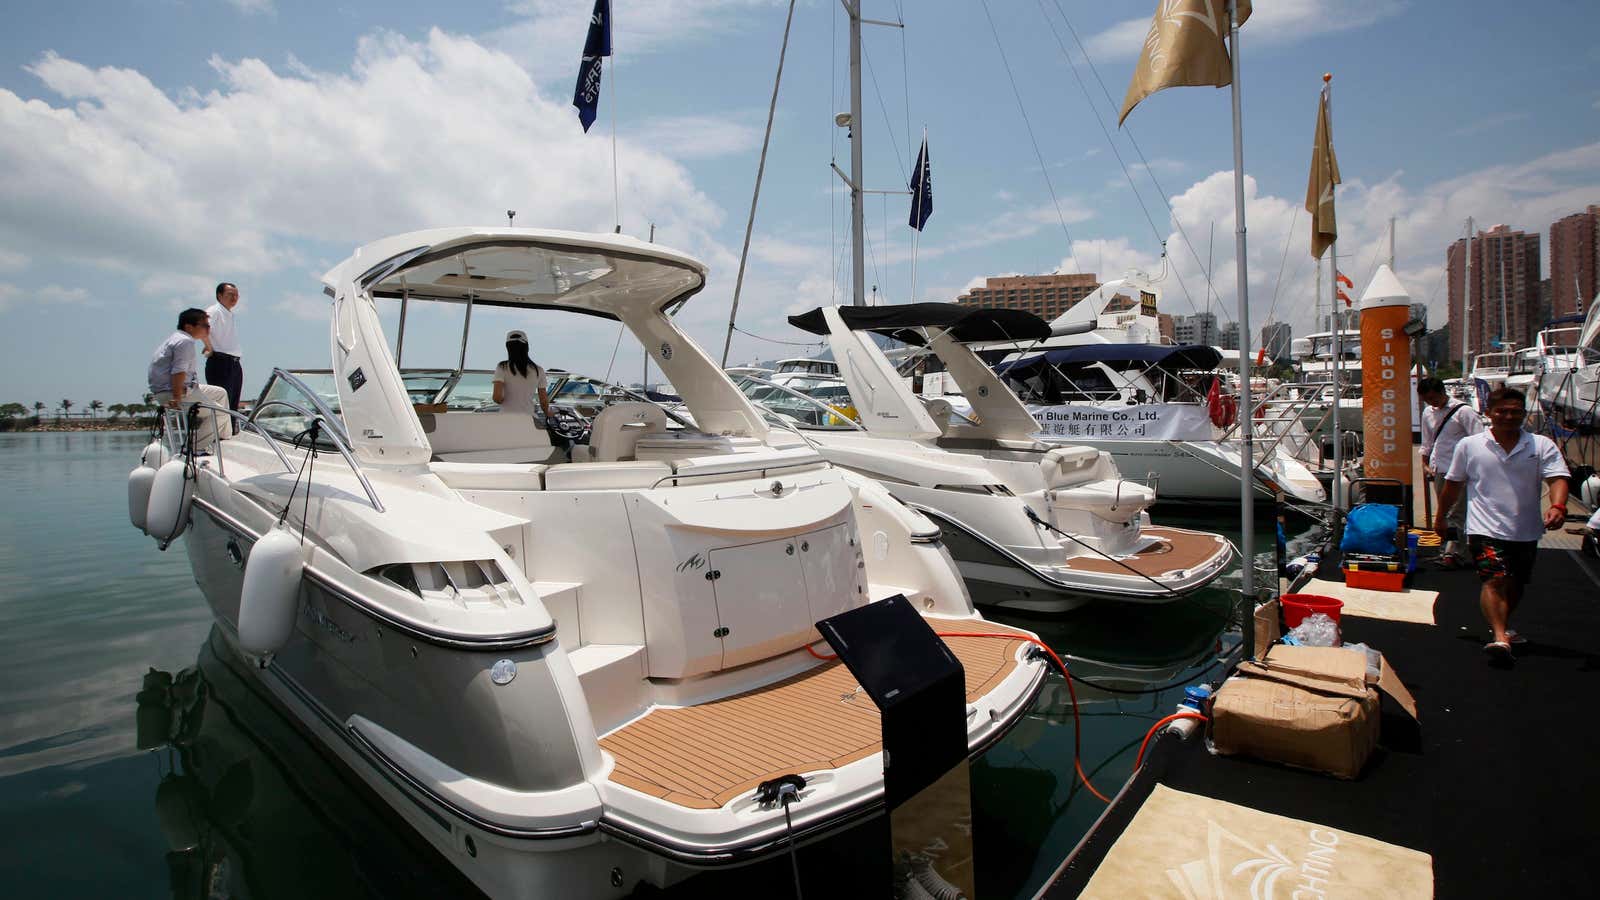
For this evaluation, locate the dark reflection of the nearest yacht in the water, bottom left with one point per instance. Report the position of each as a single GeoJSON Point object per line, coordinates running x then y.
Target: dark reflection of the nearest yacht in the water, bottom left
{"type": "Point", "coordinates": [249, 806]}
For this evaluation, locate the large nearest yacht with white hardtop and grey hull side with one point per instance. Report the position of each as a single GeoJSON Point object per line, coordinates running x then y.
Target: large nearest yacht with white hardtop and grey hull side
{"type": "Point", "coordinates": [569, 677]}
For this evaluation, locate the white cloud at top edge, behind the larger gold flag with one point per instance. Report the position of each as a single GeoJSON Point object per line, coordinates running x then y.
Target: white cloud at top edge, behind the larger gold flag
{"type": "Point", "coordinates": [1271, 25]}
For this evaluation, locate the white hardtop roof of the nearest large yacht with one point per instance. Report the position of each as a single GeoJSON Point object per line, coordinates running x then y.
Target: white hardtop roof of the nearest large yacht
{"type": "Point", "coordinates": [598, 275]}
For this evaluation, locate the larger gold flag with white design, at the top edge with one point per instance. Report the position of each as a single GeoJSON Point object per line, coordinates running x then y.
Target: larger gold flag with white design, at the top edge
{"type": "Point", "coordinates": [1185, 47]}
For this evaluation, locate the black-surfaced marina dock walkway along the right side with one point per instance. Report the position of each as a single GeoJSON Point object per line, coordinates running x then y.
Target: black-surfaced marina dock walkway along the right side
{"type": "Point", "coordinates": [1479, 782]}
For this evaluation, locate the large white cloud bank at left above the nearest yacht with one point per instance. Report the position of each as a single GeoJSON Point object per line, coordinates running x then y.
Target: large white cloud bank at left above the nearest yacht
{"type": "Point", "coordinates": [239, 179]}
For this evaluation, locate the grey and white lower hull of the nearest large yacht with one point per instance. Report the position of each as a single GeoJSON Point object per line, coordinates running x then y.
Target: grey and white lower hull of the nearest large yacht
{"type": "Point", "coordinates": [342, 672]}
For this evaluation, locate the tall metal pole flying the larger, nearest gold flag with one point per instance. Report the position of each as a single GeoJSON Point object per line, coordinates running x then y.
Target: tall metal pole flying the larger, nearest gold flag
{"type": "Point", "coordinates": [1247, 467]}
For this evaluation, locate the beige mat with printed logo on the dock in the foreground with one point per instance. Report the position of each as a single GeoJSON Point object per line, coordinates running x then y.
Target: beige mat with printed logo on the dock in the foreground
{"type": "Point", "coordinates": [1193, 848]}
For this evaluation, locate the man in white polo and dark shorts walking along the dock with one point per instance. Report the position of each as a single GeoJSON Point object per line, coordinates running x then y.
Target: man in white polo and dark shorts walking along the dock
{"type": "Point", "coordinates": [1502, 472]}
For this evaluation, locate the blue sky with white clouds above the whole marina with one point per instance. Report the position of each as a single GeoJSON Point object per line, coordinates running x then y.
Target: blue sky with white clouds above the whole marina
{"type": "Point", "coordinates": [154, 148]}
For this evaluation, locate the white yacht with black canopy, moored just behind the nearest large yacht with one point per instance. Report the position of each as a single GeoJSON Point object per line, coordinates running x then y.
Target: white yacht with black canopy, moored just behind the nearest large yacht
{"type": "Point", "coordinates": [1036, 526]}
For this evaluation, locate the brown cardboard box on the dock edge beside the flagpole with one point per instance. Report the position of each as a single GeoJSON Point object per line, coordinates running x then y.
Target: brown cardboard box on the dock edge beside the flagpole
{"type": "Point", "coordinates": [1305, 707]}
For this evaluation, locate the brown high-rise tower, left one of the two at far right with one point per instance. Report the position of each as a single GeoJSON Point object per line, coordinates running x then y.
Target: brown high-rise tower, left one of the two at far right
{"type": "Point", "coordinates": [1505, 291]}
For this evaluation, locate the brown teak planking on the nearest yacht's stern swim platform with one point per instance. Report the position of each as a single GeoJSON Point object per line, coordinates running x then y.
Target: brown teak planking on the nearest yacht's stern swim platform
{"type": "Point", "coordinates": [708, 755]}
